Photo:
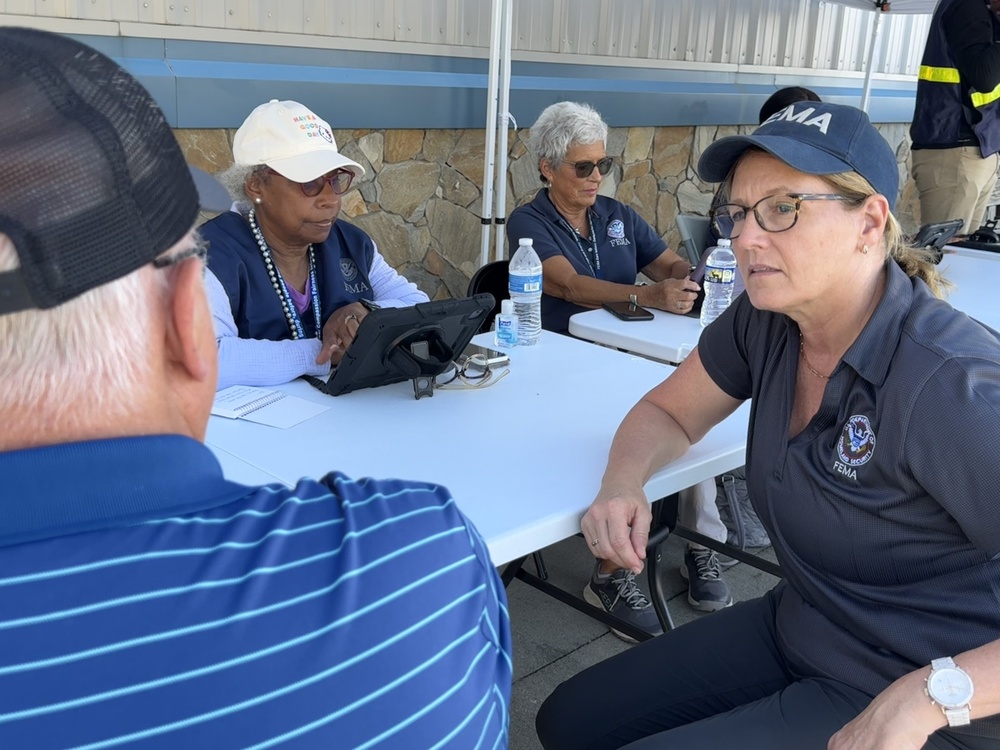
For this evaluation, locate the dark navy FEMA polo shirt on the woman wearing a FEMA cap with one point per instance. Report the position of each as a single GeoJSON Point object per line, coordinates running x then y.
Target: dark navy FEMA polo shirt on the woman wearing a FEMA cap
{"type": "Point", "coordinates": [884, 510]}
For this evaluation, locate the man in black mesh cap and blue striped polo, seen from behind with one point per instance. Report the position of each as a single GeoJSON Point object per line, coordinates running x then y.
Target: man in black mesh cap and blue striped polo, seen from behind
{"type": "Point", "coordinates": [144, 598]}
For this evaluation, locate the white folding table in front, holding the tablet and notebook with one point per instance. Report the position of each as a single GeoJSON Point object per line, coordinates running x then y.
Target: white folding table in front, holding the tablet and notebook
{"type": "Point", "coordinates": [523, 458]}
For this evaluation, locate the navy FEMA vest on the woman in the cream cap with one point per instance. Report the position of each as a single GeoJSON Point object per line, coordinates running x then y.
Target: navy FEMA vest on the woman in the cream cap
{"type": "Point", "coordinates": [343, 263]}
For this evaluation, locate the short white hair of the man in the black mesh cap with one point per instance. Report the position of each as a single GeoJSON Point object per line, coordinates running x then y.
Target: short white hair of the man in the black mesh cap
{"type": "Point", "coordinates": [85, 358]}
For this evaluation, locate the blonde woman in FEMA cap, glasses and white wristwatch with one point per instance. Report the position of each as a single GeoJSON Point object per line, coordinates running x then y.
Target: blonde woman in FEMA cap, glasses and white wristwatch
{"type": "Point", "coordinates": [871, 460]}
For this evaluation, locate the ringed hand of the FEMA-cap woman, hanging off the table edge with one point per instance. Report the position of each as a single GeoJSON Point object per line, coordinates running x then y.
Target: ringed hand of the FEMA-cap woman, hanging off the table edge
{"type": "Point", "coordinates": [616, 527]}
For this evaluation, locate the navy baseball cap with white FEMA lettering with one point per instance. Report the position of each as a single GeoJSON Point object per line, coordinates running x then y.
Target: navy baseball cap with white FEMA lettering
{"type": "Point", "coordinates": [816, 138]}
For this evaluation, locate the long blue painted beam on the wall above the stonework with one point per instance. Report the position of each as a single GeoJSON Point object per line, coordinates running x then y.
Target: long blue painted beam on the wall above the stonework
{"type": "Point", "coordinates": [215, 85]}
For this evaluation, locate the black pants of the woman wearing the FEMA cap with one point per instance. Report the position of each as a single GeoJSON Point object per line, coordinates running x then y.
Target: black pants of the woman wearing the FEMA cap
{"type": "Point", "coordinates": [718, 683]}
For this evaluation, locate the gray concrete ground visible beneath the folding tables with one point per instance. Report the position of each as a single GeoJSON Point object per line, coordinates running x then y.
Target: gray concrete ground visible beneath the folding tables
{"type": "Point", "coordinates": [552, 641]}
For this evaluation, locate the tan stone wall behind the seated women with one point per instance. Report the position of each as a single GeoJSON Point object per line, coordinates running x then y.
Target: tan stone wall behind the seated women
{"type": "Point", "coordinates": [420, 198]}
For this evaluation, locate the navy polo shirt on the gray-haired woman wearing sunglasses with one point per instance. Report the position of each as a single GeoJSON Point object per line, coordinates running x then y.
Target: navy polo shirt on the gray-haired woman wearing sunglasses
{"type": "Point", "coordinates": [622, 243]}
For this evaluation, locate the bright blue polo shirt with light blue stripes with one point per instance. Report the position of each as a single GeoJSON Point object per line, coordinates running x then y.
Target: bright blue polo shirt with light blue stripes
{"type": "Point", "coordinates": [147, 601]}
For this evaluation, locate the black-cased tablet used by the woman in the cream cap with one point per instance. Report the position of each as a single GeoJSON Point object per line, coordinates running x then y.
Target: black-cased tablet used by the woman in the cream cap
{"type": "Point", "coordinates": [399, 343]}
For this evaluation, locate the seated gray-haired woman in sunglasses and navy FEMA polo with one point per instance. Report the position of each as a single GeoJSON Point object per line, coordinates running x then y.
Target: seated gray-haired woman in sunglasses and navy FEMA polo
{"type": "Point", "coordinates": [592, 248]}
